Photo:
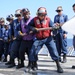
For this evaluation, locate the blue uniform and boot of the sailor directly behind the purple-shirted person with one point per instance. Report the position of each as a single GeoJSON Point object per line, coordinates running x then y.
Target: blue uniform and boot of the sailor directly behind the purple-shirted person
{"type": "Point", "coordinates": [14, 51]}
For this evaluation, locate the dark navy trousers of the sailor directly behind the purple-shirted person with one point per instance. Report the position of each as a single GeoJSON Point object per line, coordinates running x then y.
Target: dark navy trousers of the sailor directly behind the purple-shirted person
{"type": "Point", "coordinates": [14, 52]}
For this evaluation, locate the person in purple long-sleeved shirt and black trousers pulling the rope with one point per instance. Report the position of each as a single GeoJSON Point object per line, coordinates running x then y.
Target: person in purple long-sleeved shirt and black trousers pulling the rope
{"type": "Point", "coordinates": [27, 40]}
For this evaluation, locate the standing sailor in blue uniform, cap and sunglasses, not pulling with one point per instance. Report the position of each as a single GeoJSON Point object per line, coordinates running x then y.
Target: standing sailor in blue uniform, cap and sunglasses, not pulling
{"type": "Point", "coordinates": [60, 34]}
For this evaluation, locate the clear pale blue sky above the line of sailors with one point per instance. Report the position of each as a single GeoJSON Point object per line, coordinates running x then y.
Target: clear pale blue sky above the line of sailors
{"type": "Point", "coordinates": [9, 6]}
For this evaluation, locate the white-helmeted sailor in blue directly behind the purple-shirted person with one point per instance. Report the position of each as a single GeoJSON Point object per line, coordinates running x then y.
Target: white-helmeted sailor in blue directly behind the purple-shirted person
{"type": "Point", "coordinates": [14, 52]}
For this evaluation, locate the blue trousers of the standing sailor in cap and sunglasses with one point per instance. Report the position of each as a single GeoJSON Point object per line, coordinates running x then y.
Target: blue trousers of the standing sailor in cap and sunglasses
{"type": "Point", "coordinates": [61, 43]}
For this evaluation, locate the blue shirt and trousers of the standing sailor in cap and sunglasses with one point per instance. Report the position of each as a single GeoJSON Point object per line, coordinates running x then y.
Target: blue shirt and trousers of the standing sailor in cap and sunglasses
{"type": "Point", "coordinates": [61, 42]}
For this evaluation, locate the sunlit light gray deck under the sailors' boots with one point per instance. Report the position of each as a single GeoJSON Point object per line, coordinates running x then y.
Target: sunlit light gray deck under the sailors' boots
{"type": "Point", "coordinates": [46, 66]}
